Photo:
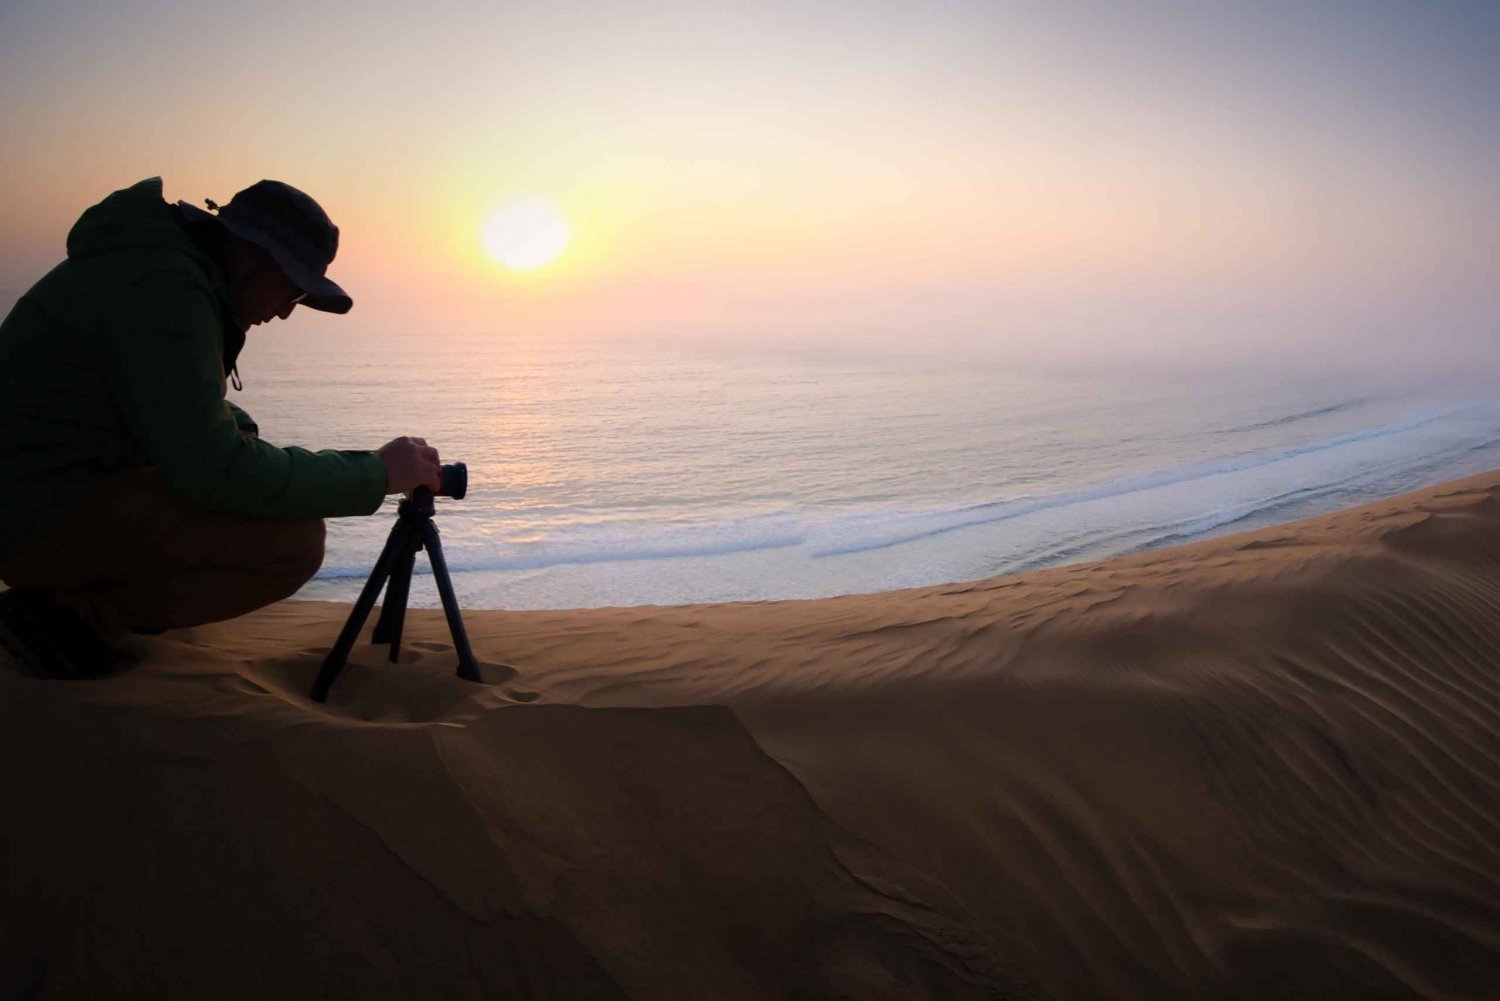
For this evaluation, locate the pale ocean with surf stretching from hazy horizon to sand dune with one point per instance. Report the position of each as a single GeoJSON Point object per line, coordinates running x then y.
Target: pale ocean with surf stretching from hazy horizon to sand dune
{"type": "Point", "coordinates": [637, 473]}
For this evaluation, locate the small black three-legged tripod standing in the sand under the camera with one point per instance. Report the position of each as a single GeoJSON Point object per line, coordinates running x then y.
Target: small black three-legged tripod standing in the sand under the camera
{"type": "Point", "coordinates": [412, 534]}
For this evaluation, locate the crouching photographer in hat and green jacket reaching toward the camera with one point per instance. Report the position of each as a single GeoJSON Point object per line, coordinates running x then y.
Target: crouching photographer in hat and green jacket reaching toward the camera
{"type": "Point", "coordinates": [134, 497]}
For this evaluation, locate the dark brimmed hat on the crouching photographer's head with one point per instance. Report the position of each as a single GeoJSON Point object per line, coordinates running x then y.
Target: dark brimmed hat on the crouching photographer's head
{"type": "Point", "coordinates": [295, 230]}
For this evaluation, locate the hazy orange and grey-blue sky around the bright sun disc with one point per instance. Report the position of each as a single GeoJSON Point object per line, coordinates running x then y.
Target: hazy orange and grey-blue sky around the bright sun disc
{"type": "Point", "coordinates": [1192, 181]}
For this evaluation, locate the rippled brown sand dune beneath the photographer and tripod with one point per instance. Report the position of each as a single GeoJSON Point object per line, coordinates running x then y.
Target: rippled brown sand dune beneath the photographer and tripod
{"type": "Point", "coordinates": [1262, 766]}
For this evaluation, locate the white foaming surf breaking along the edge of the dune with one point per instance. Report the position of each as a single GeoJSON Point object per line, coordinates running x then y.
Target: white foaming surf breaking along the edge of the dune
{"type": "Point", "coordinates": [818, 558]}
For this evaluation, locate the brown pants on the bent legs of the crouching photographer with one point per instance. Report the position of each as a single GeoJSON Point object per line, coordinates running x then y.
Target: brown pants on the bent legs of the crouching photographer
{"type": "Point", "coordinates": [137, 556]}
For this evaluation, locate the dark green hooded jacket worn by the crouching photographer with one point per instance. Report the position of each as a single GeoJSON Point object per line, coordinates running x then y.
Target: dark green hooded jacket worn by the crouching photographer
{"type": "Point", "coordinates": [118, 359]}
